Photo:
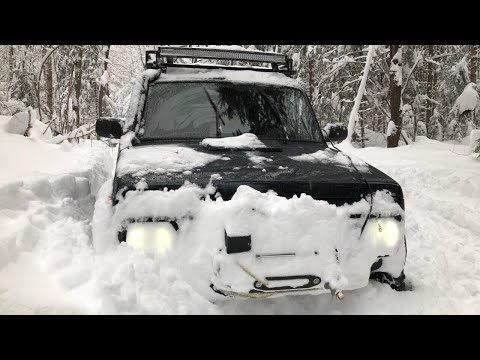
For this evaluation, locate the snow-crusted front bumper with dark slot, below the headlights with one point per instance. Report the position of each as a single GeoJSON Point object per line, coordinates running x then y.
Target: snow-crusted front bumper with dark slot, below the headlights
{"type": "Point", "coordinates": [249, 276]}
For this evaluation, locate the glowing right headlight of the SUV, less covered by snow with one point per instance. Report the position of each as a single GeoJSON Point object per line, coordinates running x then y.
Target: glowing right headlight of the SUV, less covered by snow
{"type": "Point", "coordinates": [385, 232]}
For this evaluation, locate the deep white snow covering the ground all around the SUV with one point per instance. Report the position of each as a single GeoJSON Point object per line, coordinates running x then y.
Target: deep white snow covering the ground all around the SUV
{"type": "Point", "coordinates": [48, 265]}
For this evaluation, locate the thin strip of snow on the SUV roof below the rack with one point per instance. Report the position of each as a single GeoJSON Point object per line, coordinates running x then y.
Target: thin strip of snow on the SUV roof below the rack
{"type": "Point", "coordinates": [244, 76]}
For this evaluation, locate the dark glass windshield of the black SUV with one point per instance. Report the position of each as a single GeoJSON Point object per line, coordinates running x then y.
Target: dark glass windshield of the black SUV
{"type": "Point", "coordinates": [183, 110]}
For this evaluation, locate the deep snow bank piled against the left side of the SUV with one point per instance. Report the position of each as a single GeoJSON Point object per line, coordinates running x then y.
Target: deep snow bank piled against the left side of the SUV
{"type": "Point", "coordinates": [47, 262]}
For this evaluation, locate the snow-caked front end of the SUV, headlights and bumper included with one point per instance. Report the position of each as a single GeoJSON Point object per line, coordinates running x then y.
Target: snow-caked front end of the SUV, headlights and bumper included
{"type": "Point", "coordinates": [261, 244]}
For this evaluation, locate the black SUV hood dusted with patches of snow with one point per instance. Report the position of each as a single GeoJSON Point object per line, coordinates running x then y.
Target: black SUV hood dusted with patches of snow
{"type": "Point", "coordinates": [294, 168]}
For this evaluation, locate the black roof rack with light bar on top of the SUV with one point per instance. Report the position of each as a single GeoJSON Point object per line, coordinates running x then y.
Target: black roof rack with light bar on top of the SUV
{"type": "Point", "coordinates": [279, 62]}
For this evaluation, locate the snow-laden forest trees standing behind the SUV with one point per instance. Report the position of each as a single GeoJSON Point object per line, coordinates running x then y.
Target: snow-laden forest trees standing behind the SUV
{"type": "Point", "coordinates": [411, 90]}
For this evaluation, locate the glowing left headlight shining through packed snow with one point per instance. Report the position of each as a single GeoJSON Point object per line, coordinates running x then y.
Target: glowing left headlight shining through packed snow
{"type": "Point", "coordinates": [156, 236]}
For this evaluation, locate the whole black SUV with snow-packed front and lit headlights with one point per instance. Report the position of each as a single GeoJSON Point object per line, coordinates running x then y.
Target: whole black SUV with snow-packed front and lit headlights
{"type": "Point", "coordinates": [224, 172]}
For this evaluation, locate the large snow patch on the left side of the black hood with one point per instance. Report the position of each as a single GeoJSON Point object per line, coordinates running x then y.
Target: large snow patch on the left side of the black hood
{"type": "Point", "coordinates": [140, 161]}
